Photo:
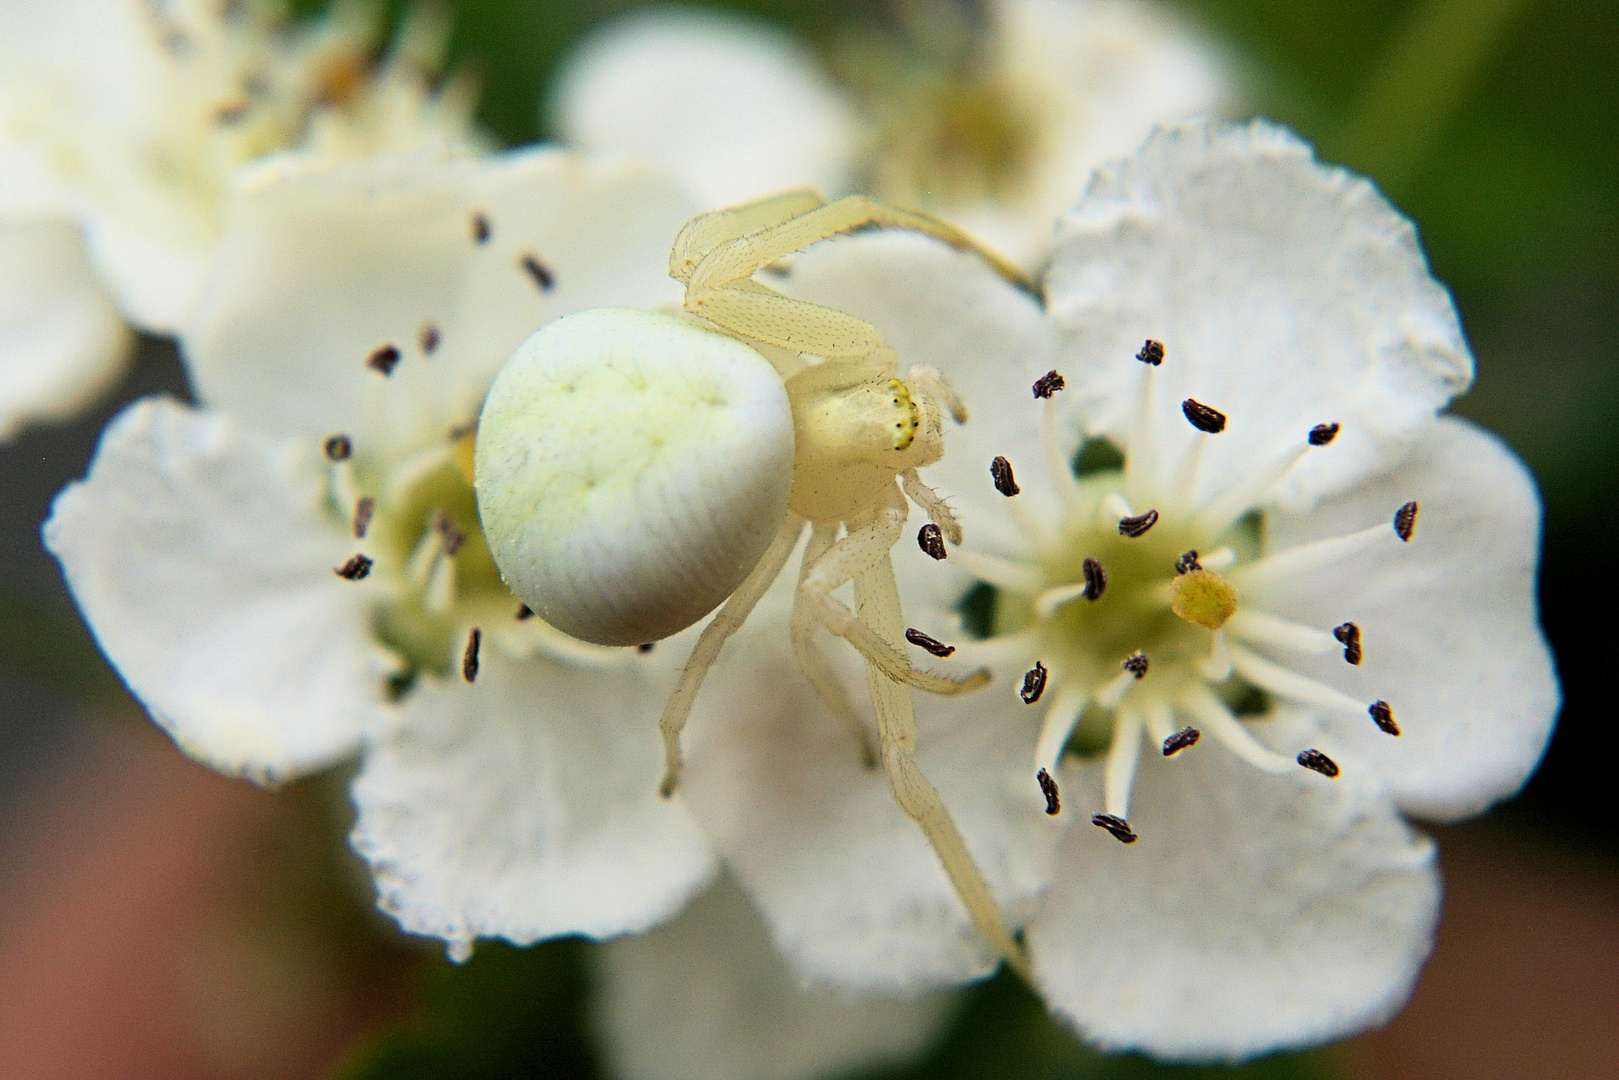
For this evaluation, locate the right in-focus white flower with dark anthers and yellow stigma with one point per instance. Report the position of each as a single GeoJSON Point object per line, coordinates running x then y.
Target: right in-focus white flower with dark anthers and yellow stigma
{"type": "Point", "coordinates": [1362, 568]}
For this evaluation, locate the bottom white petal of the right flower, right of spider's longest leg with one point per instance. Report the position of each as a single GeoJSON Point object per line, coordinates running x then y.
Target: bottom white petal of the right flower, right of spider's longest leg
{"type": "Point", "coordinates": [1257, 912]}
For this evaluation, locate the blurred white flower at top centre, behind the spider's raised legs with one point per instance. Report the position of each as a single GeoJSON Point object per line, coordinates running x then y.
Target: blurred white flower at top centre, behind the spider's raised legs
{"type": "Point", "coordinates": [993, 129]}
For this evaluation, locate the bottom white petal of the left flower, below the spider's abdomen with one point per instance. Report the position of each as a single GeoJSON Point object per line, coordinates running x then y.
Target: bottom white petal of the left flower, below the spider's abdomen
{"type": "Point", "coordinates": [525, 807]}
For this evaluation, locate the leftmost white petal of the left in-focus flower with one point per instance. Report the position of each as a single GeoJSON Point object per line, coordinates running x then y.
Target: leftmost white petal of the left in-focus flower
{"type": "Point", "coordinates": [202, 558]}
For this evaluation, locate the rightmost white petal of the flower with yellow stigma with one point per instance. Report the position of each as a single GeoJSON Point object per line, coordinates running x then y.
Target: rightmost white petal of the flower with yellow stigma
{"type": "Point", "coordinates": [1450, 629]}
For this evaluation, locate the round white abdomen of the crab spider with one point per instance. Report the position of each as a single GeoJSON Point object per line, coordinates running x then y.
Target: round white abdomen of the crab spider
{"type": "Point", "coordinates": [631, 470]}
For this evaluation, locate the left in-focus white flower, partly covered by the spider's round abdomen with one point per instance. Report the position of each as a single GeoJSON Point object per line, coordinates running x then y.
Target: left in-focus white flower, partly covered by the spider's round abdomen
{"type": "Point", "coordinates": [299, 564]}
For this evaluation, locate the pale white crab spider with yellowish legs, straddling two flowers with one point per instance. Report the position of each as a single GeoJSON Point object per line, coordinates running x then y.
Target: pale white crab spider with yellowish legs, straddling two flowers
{"type": "Point", "coordinates": [635, 469]}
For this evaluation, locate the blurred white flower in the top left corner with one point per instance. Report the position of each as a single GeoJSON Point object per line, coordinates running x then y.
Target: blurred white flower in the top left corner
{"type": "Point", "coordinates": [122, 124]}
